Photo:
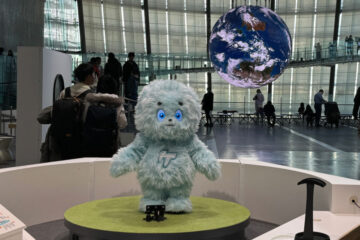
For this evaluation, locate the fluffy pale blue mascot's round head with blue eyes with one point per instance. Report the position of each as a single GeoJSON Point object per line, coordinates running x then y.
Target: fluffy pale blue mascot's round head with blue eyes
{"type": "Point", "coordinates": [167, 110]}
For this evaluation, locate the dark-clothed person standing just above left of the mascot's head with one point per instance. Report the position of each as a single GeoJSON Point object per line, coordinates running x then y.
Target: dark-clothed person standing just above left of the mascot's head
{"type": "Point", "coordinates": [131, 77]}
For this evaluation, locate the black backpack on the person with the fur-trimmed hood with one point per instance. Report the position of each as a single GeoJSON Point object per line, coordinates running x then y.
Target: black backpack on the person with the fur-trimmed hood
{"type": "Point", "coordinates": [100, 131]}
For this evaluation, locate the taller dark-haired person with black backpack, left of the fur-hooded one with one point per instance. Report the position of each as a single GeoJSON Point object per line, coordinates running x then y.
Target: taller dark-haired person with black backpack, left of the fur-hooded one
{"type": "Point", "coordinates": [66, 119]}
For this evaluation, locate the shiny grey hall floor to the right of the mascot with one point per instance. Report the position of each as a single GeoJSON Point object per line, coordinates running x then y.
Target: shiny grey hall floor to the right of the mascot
{"type": "Point", "coordinates": [333, 151]}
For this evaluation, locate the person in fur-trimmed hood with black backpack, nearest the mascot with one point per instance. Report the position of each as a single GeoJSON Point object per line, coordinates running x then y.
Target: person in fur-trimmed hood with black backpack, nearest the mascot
{"type": "Point", "coordinates": [103, 118]}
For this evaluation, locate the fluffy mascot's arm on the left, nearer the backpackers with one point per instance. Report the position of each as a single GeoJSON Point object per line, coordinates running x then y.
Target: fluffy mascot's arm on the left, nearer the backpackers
{"type": "Point", "coordinates": [127, 159]}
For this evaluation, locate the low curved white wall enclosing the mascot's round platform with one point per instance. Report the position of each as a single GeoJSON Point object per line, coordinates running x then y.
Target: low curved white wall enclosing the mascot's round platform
{"type": "Point", "coordinates": [42, 192]}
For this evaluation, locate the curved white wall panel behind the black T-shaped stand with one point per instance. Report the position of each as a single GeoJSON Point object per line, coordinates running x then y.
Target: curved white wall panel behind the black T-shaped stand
{"type": "Point", "coordinates": [267, 190]}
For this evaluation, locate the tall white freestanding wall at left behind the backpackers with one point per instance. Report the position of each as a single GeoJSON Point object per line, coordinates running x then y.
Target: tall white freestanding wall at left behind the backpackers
{"type": "Point", "coordinates": [37, 68]}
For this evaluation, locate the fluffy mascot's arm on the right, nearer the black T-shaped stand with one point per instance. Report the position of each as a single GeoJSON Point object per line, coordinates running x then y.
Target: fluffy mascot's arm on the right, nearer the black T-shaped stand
{"type": "Point", "coordinates": [204, 160]}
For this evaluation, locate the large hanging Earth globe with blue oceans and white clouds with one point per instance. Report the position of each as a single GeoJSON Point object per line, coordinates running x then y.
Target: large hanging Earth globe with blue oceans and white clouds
{"type": "Point", "coordinates": [250, 46]}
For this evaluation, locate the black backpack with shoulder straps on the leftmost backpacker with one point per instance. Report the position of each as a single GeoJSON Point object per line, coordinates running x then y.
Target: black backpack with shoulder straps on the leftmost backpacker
{"type": "Point", "coordinates": [67, 124]}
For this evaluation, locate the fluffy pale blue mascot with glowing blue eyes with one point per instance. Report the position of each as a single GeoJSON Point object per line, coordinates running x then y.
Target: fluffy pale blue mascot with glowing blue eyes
{"type": "Point", "coordinates": [166, 153]}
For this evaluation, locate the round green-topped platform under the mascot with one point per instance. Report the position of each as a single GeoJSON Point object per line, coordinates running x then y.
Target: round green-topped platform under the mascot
{"type": "Point", "coordinates": [119, 218]}
